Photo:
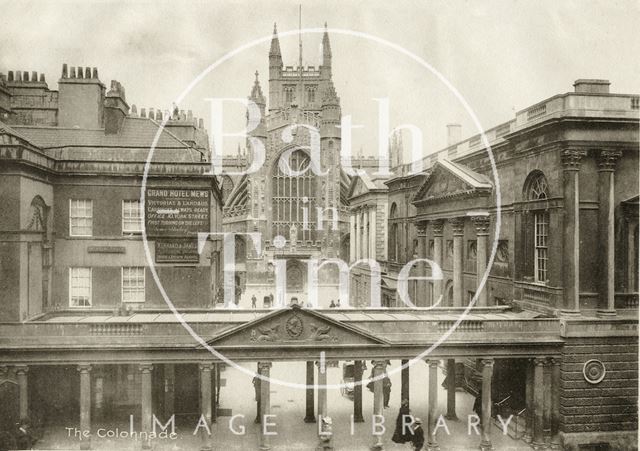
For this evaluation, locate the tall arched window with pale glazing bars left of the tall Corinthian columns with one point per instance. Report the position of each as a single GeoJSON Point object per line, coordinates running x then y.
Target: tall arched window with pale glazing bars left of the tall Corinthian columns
{"type": "Point", "coordinates": [536, 234]}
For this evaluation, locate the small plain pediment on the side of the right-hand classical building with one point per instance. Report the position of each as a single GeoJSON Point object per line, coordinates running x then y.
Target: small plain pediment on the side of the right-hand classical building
{"type": "Point", "coordinates": [448, 179]}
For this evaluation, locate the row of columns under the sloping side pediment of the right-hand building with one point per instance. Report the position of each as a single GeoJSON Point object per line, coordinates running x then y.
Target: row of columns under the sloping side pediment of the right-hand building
{"type": "Point", "coordinates": [481, 222]}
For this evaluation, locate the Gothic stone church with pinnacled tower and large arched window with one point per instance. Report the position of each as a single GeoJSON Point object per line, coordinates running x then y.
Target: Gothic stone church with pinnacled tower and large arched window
{"type": "Point", "coordinates": [296, 201]}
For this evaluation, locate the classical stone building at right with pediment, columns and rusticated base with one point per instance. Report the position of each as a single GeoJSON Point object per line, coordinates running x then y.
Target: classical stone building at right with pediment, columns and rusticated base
{"type": "Point", "coordinates": [567, 247]}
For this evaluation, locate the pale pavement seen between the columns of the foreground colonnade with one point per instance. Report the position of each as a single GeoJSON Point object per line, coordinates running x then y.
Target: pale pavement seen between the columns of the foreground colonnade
{"type": "Point", "coordinates": [292, 433]}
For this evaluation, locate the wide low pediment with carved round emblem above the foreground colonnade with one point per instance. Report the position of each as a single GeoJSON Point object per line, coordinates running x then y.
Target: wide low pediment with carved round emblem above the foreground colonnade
{"type": "Point", "coordinates": [294, 327]}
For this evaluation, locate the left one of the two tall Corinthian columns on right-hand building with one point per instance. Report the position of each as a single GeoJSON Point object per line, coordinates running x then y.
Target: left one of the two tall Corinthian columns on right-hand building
{"type": "Point", "coordinates": [571, 231]}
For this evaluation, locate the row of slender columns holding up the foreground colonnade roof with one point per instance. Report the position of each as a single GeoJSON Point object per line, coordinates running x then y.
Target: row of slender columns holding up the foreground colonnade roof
{"type": "Point", "coordinates": [542, 399]}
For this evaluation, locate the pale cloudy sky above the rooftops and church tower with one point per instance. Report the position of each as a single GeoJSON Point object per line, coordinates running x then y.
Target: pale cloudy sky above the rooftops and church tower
{"type": "Point", "coordinates": [500, 56]}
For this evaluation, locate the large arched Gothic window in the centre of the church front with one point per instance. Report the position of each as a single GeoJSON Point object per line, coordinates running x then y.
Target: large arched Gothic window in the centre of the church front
{"type": "Point", "coordinates": [293, 199]}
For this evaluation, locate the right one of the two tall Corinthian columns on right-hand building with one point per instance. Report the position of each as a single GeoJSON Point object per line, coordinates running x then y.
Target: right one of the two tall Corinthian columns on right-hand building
{"type": "Point", "coordinates": [606, 172]}
